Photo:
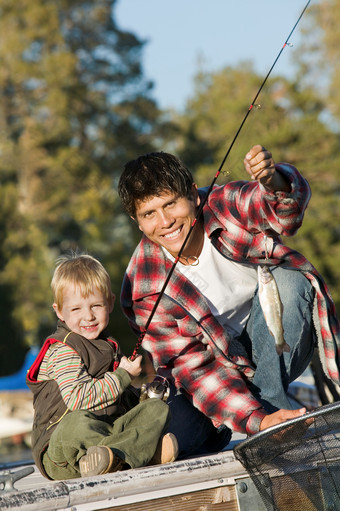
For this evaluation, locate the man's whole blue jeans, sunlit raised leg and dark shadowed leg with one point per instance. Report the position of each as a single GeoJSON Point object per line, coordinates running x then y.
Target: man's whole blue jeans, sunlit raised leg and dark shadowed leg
{"type": "Point", "coordinates": [194, 431]}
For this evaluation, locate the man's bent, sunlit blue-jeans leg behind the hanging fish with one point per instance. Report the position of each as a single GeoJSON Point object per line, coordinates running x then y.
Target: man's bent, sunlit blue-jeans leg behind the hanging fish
{"type": "Point", "coordinates": [273, 373]}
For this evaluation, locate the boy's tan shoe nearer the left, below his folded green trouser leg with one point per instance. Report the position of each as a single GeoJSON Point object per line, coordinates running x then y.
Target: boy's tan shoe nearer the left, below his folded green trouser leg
{"type": "Point", "coordinates": [99, 459]}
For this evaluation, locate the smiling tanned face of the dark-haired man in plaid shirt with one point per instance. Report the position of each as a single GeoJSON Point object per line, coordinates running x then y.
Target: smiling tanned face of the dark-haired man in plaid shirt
{"type": "Point", "coordinates": [167, 218]}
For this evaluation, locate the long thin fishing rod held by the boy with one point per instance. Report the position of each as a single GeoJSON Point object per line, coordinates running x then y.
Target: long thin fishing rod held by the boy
{"type": "Point", "coordinates": [203, 202]}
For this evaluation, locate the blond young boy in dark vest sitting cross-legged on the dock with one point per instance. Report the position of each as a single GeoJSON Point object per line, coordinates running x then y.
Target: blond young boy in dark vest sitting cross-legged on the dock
{"type": "Point", "coordinates": [88, 419]}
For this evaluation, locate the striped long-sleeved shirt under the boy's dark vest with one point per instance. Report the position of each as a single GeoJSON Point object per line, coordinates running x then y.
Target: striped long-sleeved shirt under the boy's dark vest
{"type": "Point", "coordinates": [78, 388]}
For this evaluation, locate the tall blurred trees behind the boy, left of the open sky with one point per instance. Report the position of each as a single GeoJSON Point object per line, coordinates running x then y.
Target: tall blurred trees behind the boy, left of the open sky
{"type": "Point", "coordinates": [74, 106]}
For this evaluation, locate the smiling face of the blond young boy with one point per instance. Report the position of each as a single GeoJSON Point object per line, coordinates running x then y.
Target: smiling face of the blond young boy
{"type": "Point", "coordinates": [85, 316]}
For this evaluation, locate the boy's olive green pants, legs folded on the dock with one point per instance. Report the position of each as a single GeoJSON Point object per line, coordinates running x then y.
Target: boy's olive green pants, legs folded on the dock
{"type": "Point", "coordinates": [133, 437]}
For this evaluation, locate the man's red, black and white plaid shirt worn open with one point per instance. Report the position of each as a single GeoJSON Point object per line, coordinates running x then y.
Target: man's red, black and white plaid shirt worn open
{"type": "Point", "coordinates": [186, 343]}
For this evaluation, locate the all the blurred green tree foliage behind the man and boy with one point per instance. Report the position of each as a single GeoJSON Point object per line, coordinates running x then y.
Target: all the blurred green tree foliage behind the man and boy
{"type": "Point", "coordinates": [75, 106]}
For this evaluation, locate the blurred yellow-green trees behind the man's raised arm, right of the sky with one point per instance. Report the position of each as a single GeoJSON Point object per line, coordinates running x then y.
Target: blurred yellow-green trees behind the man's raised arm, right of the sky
{"type": "Point", "coordinates": [291, 124]}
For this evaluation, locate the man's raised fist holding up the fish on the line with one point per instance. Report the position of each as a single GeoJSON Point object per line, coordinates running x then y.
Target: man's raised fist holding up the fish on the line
{"type": "Point", "coordinates": [260, 165]}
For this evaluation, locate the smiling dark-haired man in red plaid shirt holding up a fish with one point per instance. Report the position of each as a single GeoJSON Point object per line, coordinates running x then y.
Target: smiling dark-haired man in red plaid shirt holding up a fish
{"type": "Point", "coordinates": [208, 334]}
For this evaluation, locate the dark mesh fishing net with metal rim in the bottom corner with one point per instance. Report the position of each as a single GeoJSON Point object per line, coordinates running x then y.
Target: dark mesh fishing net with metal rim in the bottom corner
{"type": "Point", "coordinates": [295, 466]}
